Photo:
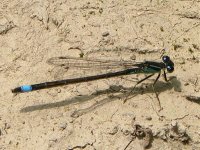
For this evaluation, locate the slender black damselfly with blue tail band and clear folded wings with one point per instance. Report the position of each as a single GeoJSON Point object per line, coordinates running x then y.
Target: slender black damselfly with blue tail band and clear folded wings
{"type": "Point", "coordinates": [146, 67]}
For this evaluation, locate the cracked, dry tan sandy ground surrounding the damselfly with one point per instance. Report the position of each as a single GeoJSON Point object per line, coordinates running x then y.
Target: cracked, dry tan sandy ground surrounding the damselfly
{"type": "Point", "coordinates": [93, 115]}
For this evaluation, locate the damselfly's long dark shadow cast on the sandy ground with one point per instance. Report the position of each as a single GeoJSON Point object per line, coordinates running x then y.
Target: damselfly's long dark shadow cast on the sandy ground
{"type": "Point", "coordinates": [114, 93]}
